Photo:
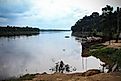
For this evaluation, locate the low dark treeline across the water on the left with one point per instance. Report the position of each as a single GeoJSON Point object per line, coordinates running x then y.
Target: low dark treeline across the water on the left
{"type": "Point", "coordinates": [15, 31]}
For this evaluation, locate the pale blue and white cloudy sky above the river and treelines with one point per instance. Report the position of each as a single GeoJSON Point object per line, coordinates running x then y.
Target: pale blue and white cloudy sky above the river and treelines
{"type": "Point", "coordinates": [49, 14]}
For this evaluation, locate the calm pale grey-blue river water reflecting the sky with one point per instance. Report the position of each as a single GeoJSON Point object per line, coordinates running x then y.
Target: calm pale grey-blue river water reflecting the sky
{"type": "Point", "coordinates": [37, 54]}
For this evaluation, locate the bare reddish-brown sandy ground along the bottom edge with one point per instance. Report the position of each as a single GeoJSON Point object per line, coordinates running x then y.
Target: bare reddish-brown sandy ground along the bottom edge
{"type": "Point", "coordinates": [78, 77]}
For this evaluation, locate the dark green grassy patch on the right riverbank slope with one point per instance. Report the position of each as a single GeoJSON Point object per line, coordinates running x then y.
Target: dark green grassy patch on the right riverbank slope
{"type": "Point", "coordinates": [109, 55]}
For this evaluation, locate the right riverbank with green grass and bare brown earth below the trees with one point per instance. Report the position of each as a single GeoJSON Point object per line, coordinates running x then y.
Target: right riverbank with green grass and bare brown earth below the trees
{"type": "Point", "coordinates": [108, 52]}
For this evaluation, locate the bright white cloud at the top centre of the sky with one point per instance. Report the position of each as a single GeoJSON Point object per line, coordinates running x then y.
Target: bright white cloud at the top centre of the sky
{"type": "Point", "coordinates": [54, 9]}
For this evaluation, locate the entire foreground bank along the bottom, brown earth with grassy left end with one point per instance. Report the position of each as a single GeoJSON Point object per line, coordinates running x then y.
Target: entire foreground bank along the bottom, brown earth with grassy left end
{"type": "Point", "coordinates": [114, 76]}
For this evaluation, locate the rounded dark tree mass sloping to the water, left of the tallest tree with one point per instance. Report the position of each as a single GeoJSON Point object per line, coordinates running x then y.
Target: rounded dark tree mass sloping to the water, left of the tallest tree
{"type": "Point", "coordinates": [86, 23]}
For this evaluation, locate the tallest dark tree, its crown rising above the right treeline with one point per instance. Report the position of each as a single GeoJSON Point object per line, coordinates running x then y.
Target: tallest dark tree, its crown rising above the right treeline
{"type": "Point", "coordinates": [107, 24]}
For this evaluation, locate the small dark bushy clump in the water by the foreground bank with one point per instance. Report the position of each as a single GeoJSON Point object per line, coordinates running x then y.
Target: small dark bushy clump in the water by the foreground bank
{"type": "Point", "coordinates": [60, 67]}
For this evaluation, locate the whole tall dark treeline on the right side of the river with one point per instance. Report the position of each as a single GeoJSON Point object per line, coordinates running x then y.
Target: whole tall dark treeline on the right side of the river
{"type": "Point", "coordinates": [108, 24]}
